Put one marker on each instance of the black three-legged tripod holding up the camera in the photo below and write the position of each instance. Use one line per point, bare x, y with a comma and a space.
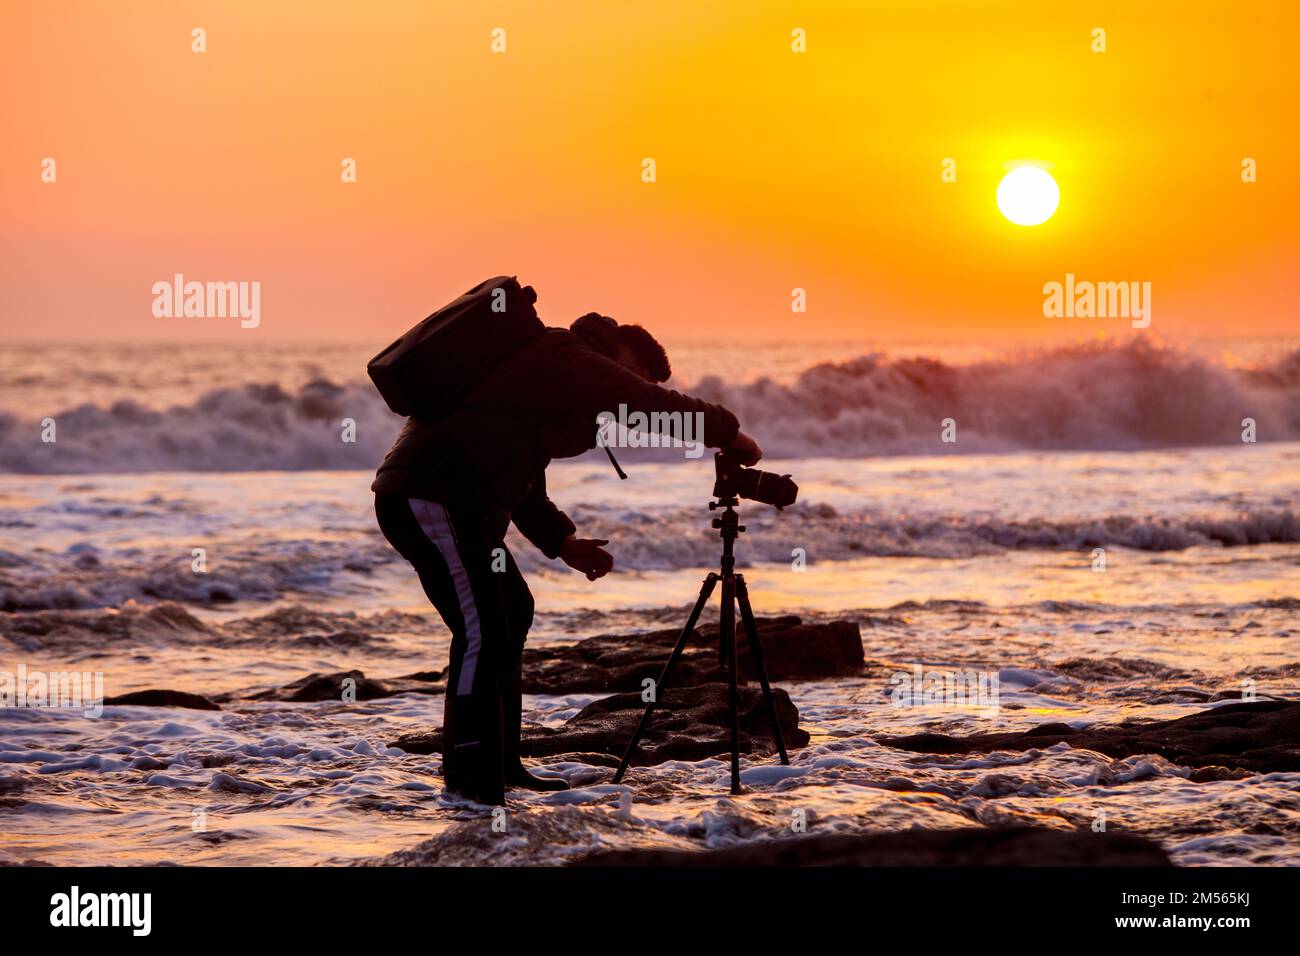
734, 591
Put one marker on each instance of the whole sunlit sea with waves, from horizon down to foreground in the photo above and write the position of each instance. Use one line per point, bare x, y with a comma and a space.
1102, 531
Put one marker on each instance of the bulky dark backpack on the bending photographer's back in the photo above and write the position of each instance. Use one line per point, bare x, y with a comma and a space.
435, 366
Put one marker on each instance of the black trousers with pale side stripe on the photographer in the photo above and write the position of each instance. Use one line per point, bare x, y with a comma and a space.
473, 579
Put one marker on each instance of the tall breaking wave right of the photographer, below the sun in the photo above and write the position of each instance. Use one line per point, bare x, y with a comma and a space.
1102, 396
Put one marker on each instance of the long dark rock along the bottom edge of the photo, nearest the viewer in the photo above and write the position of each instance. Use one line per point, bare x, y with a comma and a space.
968, 847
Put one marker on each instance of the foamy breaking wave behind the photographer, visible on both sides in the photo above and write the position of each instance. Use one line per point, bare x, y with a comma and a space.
1102, 396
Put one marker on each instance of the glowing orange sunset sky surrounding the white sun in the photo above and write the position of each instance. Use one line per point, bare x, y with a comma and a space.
775, 170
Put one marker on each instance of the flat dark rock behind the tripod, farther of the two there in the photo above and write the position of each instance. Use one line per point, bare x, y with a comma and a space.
622, 661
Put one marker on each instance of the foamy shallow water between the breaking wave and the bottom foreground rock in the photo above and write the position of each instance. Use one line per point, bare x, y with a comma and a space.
982, 564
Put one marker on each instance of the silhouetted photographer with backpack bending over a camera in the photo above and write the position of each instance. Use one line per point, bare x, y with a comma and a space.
492, 396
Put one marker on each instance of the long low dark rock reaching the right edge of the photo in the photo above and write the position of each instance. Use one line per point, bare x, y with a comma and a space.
1263, 737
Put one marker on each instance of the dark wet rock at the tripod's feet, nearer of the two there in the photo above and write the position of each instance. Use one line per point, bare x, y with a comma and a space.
690, 724
